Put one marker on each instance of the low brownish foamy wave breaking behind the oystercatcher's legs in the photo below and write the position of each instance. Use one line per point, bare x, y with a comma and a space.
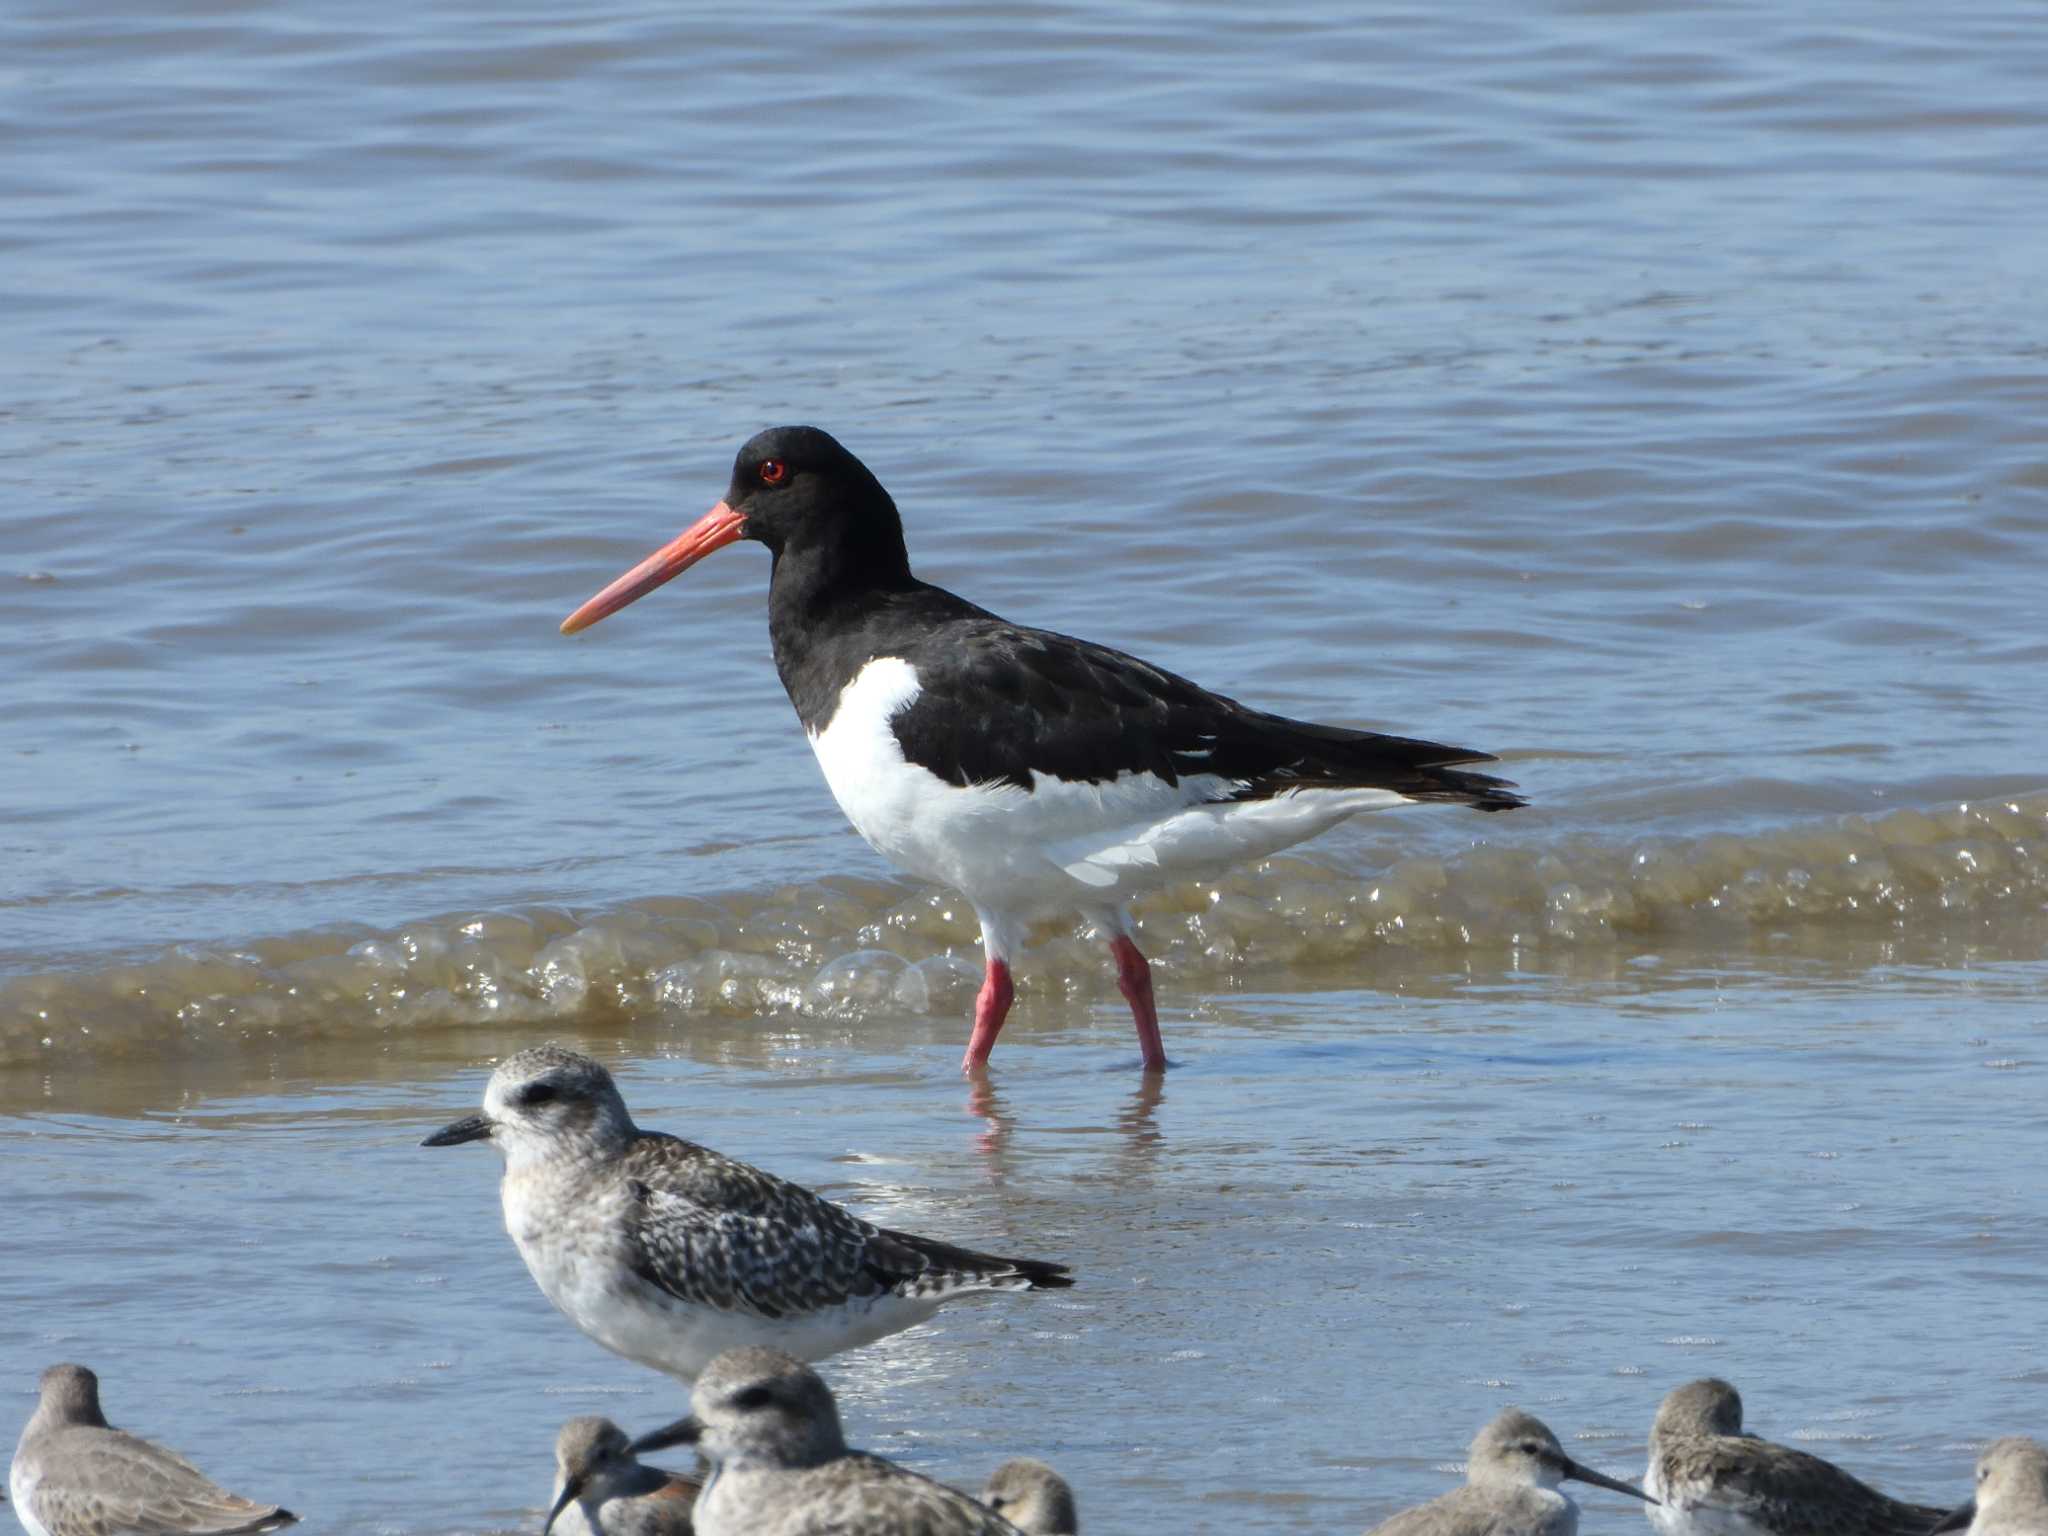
845, 949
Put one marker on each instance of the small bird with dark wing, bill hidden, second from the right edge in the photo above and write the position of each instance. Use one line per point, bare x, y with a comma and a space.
1713, 1480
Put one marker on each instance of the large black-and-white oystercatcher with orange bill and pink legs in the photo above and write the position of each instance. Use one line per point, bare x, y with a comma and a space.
1035, 773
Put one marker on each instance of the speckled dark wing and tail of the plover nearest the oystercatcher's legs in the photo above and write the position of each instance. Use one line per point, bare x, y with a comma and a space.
722, 1234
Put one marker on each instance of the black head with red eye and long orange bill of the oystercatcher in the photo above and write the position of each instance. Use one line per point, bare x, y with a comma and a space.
790, 482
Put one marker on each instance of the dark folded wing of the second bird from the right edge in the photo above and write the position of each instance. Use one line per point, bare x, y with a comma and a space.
1787, 1490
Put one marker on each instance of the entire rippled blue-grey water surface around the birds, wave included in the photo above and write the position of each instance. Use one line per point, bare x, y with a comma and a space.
1652, 396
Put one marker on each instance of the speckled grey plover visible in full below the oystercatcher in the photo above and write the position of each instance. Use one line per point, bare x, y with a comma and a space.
671, 1254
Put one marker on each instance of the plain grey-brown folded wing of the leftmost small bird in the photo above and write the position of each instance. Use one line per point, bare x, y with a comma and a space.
122, 1486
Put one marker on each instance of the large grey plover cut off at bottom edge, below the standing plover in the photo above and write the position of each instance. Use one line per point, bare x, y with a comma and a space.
781, 1467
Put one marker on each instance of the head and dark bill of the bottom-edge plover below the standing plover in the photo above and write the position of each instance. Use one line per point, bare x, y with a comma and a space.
759, 1408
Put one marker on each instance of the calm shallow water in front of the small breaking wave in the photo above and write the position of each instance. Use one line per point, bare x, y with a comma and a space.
1342, 1234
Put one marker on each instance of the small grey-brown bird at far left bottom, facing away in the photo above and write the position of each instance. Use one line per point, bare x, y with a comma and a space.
77, 1476
